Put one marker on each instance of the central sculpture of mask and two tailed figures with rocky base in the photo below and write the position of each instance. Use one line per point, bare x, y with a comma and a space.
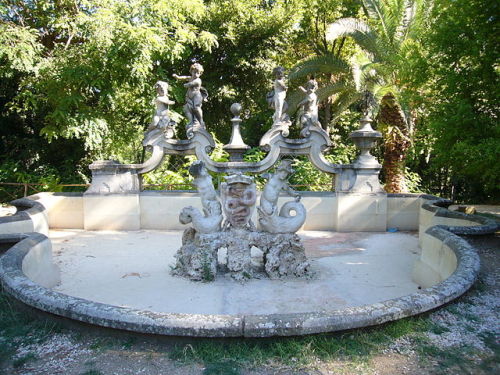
227, 224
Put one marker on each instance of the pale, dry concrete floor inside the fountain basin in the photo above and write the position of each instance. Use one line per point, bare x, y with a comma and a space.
131, 269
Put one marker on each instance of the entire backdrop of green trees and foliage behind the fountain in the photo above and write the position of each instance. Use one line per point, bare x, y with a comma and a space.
76, 80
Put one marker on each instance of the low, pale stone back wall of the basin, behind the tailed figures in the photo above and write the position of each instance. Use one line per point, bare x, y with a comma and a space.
160, 210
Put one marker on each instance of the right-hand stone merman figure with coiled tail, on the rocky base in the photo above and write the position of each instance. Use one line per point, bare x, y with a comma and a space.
270, 219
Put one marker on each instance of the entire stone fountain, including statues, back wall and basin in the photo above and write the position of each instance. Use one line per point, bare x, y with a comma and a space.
114, 256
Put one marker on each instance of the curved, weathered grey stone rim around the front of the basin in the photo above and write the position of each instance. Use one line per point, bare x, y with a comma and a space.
16, 283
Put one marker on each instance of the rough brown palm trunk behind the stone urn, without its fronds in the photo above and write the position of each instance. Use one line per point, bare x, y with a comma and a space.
392, 124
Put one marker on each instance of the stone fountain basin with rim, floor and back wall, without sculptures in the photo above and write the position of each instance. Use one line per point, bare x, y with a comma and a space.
56, 262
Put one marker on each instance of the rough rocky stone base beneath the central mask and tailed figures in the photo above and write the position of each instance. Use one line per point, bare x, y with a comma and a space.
197, 259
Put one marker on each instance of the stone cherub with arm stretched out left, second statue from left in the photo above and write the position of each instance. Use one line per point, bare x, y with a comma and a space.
195, 96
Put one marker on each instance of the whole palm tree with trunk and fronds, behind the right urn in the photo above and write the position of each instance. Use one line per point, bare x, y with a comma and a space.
388, 40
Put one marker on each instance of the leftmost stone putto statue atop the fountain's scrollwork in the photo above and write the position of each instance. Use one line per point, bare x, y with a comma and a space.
161, 124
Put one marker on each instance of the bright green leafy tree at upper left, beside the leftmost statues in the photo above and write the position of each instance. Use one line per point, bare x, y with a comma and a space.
87, 67
